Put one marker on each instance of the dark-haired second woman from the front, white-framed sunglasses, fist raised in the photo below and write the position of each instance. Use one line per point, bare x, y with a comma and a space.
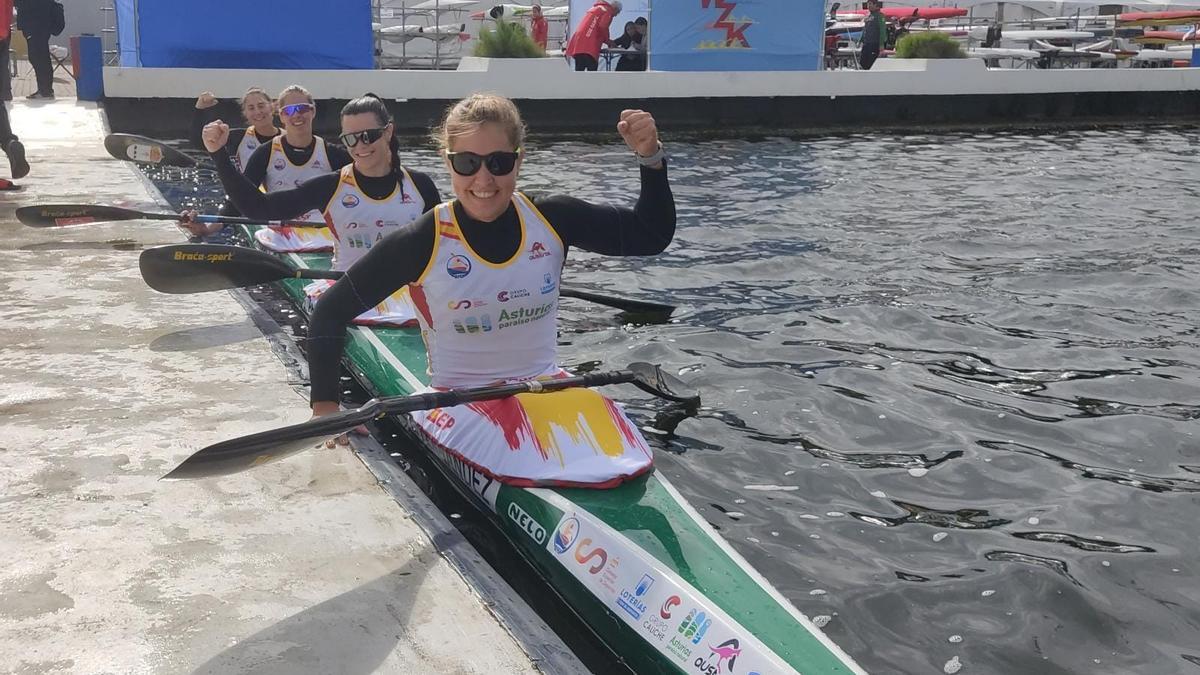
364, 201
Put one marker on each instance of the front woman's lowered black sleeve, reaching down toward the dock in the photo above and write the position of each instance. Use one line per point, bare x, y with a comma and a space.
392, 265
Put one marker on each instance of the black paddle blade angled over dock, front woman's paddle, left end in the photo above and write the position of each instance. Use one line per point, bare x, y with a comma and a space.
248, 452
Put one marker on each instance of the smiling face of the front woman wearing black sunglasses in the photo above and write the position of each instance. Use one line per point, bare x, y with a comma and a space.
484, 196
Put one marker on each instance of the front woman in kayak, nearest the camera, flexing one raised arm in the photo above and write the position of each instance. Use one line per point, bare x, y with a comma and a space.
484, 273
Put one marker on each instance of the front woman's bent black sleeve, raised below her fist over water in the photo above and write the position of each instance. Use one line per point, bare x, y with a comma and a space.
646, 230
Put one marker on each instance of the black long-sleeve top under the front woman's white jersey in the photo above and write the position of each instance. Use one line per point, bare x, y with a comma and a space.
646, 230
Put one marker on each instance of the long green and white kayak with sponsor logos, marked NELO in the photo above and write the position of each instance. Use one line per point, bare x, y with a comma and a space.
655, 582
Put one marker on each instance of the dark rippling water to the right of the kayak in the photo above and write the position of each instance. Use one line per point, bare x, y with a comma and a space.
951, 383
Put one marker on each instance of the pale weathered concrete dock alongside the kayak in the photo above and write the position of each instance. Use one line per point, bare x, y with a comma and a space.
303, 566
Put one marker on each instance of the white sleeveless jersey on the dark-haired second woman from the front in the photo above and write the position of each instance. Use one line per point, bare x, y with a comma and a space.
359, 223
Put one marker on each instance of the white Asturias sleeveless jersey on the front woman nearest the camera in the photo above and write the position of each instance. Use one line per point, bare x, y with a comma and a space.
487, 322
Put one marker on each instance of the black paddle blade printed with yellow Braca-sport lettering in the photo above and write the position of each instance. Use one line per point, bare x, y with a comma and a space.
196, 268
